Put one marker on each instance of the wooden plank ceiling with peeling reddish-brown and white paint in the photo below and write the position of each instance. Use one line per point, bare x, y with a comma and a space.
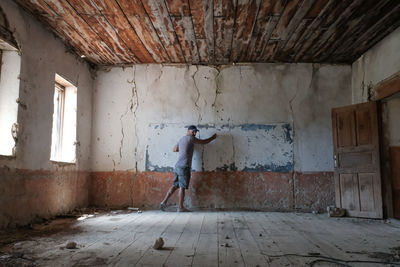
116, 32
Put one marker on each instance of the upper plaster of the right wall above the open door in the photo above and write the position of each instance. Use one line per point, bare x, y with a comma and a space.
377, 64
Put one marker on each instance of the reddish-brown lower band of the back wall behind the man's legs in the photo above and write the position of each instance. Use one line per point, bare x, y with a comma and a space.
216, 190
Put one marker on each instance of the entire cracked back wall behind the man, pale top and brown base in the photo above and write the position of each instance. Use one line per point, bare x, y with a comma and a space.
274, 149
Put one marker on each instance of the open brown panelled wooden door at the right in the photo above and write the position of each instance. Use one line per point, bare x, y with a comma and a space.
356, 157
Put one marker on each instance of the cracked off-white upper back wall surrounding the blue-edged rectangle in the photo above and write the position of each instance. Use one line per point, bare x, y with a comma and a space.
127, 100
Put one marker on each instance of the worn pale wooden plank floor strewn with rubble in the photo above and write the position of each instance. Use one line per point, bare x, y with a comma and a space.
218, 239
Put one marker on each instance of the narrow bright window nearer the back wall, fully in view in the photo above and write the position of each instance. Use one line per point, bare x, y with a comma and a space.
63, 137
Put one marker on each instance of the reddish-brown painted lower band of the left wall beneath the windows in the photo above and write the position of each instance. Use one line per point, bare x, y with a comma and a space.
26, 195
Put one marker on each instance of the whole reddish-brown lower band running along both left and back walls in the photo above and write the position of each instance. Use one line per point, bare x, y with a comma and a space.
27, 195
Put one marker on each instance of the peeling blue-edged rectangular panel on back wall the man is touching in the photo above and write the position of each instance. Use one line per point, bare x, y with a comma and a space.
254, 147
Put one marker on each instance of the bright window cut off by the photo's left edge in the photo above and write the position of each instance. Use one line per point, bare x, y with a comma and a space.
9, 93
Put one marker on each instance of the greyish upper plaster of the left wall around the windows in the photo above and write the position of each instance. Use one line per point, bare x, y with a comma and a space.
42, 56
